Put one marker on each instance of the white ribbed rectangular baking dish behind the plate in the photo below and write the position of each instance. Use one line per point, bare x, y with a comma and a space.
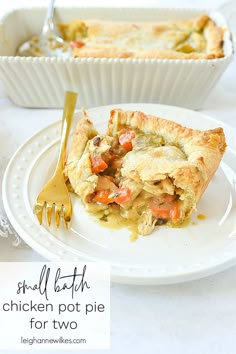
41, 82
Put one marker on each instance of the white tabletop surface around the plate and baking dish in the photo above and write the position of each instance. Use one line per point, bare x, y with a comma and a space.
197, 317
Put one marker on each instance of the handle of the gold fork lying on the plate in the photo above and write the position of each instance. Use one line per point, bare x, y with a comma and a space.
68, 113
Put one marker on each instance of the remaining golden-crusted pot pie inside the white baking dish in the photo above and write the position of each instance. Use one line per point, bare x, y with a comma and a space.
197, 38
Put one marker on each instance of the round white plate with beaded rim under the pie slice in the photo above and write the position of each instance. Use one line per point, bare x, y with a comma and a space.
169, 255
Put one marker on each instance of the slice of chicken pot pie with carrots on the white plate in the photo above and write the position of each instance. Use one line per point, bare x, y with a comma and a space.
149, 170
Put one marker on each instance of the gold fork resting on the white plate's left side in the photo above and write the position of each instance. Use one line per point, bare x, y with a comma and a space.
55, 196
